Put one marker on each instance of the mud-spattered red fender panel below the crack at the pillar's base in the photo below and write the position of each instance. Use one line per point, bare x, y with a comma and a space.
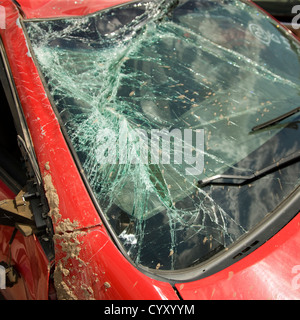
90, 268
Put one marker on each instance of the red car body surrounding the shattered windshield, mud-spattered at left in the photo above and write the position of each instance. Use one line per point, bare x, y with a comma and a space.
88, 265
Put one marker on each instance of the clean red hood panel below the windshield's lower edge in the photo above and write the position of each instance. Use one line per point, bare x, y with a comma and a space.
270, 272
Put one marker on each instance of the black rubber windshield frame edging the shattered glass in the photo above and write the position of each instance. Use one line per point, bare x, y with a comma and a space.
249, 242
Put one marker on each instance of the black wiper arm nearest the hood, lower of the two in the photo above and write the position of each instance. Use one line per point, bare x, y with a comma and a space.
284, 162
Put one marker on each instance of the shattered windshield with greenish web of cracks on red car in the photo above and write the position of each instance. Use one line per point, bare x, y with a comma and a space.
155, 97
